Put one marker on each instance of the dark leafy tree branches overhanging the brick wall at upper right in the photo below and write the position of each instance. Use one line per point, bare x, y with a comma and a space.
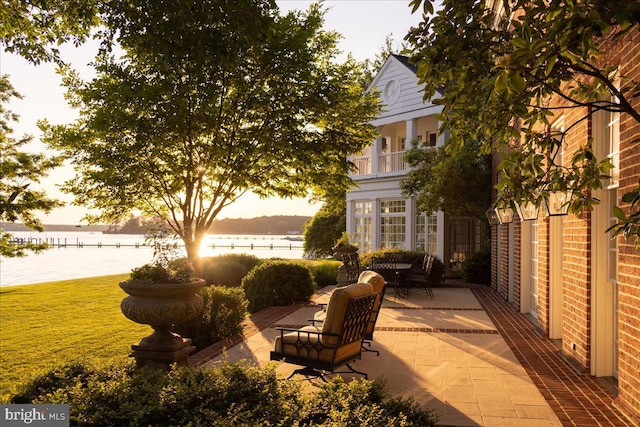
497, 74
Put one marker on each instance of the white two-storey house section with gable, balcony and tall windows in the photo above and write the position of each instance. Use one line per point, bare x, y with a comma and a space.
379, 216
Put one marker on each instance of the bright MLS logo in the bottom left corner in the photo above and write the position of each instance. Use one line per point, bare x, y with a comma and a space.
34, 415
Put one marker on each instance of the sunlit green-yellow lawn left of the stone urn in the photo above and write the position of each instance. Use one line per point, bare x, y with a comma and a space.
49, 324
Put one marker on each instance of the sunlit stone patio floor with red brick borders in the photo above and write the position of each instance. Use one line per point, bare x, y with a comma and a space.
448, 354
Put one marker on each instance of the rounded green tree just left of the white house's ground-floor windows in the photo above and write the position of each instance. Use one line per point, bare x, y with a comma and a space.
326, 226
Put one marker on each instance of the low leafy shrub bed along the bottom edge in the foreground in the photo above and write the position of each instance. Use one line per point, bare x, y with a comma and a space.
227, 394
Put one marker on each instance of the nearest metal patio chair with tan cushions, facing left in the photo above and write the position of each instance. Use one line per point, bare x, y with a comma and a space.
321, 351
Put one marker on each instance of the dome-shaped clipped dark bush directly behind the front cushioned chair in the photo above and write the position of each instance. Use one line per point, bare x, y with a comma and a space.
276, 283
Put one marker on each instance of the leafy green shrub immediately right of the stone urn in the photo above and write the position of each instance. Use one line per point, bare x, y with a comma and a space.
221, 317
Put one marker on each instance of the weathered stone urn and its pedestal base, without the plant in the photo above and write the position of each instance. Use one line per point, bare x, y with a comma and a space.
161, 305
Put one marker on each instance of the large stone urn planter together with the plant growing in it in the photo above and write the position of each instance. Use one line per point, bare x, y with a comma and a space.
161, 294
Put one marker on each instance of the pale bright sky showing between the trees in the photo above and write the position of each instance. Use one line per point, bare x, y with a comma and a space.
363, 24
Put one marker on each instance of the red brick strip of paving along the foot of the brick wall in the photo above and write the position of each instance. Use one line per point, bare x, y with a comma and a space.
577, 399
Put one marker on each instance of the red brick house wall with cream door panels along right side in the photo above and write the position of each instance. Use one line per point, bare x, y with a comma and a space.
573, 281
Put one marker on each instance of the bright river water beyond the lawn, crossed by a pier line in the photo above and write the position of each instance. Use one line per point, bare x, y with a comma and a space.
89, 260
